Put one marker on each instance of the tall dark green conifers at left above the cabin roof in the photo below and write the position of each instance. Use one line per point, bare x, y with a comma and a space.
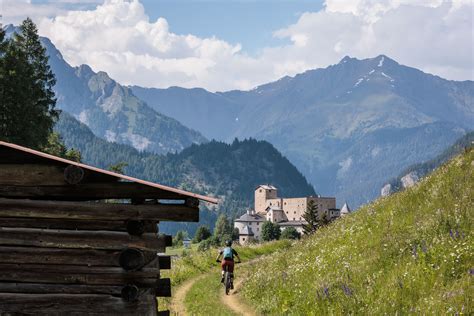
27, 110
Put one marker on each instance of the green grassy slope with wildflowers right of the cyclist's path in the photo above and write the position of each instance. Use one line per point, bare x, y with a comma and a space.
412, 252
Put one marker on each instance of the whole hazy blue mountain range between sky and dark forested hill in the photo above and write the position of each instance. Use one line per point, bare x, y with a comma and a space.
348, 127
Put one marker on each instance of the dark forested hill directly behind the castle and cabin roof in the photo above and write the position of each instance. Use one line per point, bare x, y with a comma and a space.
228, 171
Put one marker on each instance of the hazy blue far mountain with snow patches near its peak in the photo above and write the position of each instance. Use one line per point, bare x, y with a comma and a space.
336, 123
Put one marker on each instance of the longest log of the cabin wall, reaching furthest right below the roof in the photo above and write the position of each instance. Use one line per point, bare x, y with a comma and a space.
97, 211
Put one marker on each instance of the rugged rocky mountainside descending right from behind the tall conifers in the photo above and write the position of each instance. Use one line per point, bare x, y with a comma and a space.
111, 110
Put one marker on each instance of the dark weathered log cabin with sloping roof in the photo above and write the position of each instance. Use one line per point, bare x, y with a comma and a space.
79, 240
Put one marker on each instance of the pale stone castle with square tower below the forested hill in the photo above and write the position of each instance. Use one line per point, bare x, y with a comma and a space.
286, 212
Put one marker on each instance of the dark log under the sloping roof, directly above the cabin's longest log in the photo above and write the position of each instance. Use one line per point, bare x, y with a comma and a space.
88, 191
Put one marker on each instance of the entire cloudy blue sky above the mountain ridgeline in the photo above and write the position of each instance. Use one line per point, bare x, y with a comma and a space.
223, 45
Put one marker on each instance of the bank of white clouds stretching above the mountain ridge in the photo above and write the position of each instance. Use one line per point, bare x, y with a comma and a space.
119, 38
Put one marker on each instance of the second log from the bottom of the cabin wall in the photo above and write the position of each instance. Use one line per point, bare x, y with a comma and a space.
67, 274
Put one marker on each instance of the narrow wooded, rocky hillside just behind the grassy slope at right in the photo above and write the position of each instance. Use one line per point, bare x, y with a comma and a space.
417, 171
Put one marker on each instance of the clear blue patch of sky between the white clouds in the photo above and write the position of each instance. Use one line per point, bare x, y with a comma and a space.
250, 23
